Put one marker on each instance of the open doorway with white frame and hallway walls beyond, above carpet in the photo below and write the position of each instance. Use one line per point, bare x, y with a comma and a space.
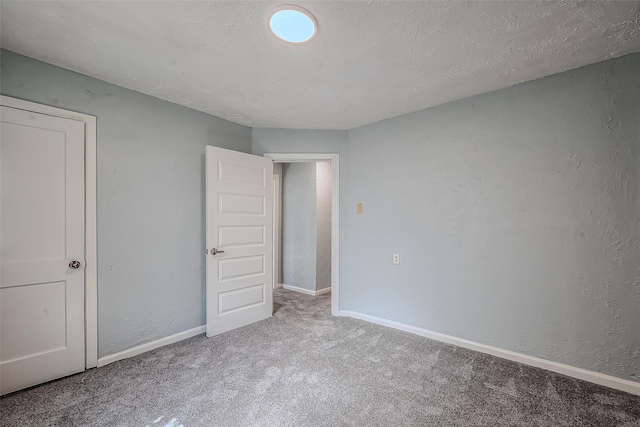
306, 223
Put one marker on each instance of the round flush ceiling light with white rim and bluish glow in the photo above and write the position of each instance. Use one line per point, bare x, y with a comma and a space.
293, 24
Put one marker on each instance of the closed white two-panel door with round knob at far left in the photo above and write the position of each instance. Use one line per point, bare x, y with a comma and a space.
42, 234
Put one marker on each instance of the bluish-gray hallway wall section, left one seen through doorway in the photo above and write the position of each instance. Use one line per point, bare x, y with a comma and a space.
299, 225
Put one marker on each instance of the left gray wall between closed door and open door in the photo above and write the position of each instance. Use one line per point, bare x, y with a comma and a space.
150, 198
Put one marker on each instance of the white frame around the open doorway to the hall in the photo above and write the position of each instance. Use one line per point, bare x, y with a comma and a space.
334, 158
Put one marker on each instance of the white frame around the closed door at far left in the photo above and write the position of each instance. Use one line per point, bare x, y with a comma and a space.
91, 246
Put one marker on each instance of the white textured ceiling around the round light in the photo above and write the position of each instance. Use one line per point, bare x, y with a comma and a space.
370, 60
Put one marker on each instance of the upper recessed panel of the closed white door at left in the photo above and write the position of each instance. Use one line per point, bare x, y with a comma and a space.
35, 163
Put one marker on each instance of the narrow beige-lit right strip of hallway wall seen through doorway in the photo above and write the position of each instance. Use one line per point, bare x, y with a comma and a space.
323, 225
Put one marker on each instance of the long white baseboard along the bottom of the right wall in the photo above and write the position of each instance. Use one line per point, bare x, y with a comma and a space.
571, 371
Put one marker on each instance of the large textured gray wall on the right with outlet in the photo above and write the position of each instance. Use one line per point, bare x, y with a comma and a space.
516, 215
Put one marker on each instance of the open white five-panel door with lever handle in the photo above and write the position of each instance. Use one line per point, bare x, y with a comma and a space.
239, 239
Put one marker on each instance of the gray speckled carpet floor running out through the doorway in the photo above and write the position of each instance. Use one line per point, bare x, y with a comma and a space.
303, 367
